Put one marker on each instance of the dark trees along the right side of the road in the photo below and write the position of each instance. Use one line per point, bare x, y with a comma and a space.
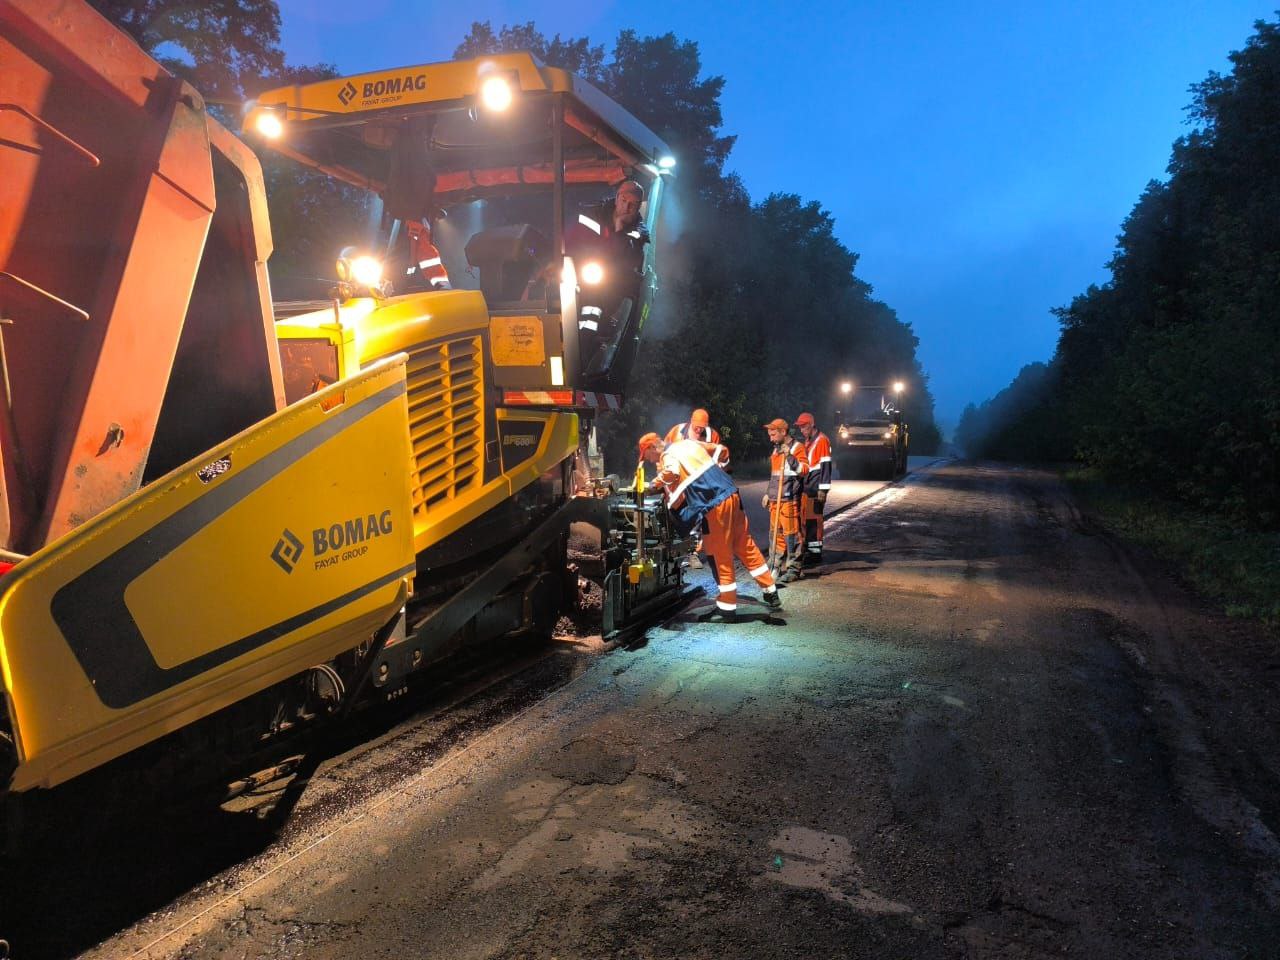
1168, 376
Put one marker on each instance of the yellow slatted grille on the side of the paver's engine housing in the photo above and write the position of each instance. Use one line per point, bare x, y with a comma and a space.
446, 383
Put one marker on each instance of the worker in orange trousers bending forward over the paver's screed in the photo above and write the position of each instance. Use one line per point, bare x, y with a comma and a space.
702, 496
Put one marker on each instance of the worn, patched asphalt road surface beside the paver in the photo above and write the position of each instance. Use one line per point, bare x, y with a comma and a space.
981, 732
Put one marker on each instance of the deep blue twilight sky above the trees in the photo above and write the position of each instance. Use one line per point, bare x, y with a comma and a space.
980, 158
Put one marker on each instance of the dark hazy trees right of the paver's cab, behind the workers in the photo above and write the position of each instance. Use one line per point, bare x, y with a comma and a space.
762, 313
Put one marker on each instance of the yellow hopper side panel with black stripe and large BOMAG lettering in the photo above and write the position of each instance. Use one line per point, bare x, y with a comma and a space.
272, 554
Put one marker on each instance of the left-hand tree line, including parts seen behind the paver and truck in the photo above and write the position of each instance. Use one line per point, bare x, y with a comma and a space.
761, 313
